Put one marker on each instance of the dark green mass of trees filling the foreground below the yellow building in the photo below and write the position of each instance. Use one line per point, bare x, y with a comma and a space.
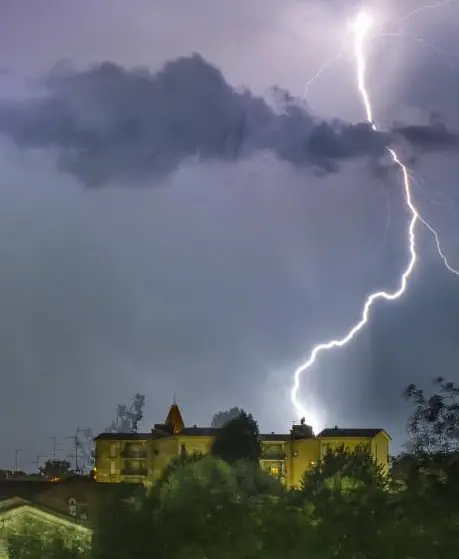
226, 507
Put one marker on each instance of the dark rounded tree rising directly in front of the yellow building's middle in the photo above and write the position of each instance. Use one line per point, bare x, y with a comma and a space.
239, 439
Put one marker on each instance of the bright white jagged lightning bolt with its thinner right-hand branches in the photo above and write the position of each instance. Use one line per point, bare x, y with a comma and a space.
361, 28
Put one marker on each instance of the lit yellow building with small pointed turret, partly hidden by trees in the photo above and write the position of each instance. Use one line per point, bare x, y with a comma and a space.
142, 457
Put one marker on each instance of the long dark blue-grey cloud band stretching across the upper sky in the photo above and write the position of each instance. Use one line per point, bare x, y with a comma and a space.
110, 123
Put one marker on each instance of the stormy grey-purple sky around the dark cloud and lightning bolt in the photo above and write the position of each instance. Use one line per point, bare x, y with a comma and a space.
214, 280
